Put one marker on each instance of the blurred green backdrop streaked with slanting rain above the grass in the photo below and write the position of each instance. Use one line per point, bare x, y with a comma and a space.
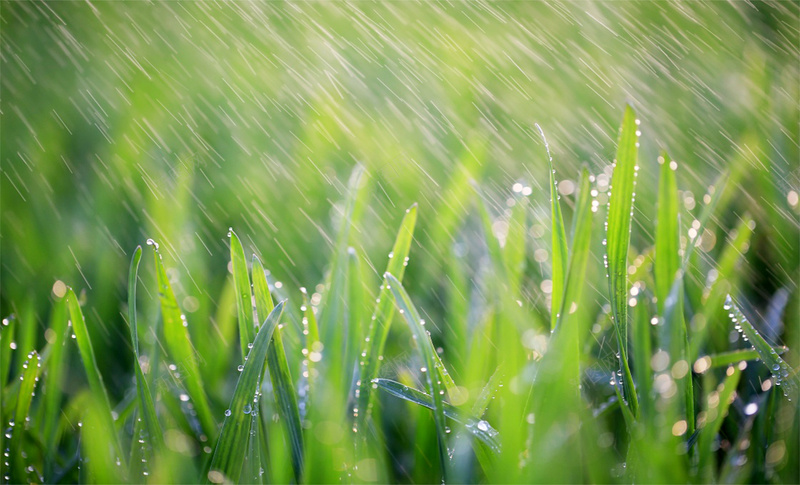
123, 121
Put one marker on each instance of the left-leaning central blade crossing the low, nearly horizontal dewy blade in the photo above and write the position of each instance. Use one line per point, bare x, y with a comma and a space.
411, 316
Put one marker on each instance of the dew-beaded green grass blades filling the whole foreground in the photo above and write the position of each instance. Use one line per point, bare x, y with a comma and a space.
676, 411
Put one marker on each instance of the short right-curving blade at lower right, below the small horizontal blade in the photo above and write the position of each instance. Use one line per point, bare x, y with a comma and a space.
717, 406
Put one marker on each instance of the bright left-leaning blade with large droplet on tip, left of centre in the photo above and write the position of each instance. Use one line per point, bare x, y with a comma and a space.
180, 348
